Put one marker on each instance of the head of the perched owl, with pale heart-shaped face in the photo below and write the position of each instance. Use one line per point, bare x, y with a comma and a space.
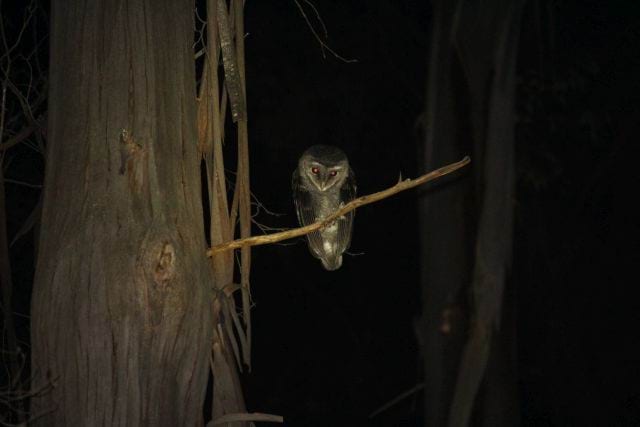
325, 166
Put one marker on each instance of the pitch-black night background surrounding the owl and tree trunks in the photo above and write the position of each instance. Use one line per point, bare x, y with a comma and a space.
336, 345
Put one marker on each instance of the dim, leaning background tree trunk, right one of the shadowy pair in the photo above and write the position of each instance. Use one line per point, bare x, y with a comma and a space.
495, 191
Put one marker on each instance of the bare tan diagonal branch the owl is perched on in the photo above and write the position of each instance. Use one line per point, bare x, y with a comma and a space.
356, 203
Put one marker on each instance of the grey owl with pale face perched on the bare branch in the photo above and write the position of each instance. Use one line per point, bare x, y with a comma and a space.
322, 183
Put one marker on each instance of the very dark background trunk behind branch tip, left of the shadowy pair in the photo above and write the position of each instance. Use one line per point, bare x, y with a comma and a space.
445, 262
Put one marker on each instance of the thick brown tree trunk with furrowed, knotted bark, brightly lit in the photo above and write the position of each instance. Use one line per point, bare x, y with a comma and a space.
121, 311
